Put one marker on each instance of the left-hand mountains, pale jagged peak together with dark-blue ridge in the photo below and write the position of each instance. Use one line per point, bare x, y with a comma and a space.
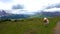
5, 15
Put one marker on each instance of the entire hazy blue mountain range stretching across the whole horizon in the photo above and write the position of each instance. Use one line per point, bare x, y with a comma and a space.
5, 15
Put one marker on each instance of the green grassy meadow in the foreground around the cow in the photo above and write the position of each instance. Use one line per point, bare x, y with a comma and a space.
28, 26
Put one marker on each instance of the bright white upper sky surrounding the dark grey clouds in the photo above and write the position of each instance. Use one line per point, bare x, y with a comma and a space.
30, 5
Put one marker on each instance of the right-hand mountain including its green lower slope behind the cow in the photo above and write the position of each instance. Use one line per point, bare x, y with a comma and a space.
46, 14
